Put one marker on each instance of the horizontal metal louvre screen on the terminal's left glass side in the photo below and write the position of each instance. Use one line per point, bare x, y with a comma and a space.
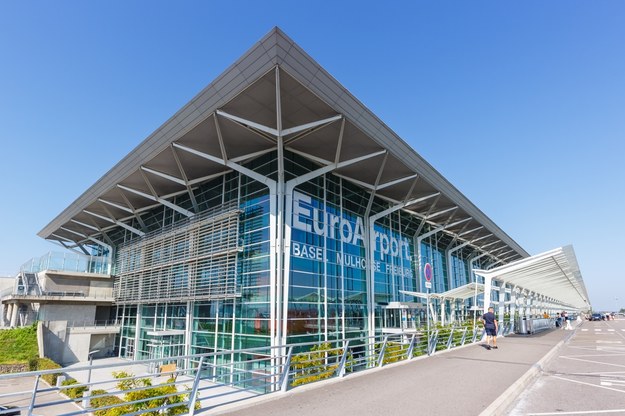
193, 260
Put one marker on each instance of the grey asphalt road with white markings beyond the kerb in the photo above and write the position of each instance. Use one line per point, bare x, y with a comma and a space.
586, 377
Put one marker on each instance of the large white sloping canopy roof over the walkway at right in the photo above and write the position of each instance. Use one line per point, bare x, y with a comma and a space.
554, 274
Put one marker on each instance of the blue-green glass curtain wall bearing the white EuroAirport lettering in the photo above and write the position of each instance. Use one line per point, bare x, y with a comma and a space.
327, 293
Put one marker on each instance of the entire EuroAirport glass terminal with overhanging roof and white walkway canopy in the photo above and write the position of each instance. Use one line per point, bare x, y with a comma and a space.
276, 208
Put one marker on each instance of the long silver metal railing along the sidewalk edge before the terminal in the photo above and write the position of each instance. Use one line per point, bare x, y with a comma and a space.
204, 382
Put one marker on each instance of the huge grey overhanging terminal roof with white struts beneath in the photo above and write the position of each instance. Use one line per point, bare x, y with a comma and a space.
235, 118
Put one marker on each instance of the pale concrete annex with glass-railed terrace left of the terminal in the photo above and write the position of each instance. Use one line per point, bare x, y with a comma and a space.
71, 295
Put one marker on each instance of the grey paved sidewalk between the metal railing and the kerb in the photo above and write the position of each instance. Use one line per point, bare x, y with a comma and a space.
465, 381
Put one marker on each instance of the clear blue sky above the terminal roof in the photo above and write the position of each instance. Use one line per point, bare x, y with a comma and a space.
521, 105
